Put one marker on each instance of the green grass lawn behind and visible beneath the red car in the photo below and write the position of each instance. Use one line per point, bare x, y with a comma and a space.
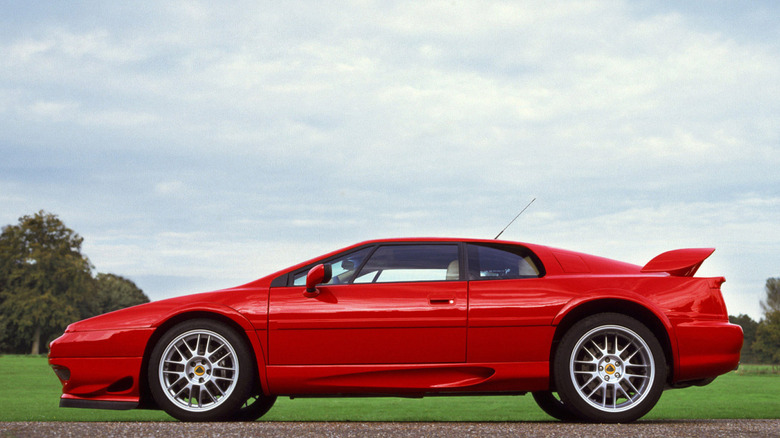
30, 392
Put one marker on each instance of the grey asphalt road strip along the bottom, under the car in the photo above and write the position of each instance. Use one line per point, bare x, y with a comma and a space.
666, 429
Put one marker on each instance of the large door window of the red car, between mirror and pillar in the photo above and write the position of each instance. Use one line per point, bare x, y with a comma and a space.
397, 263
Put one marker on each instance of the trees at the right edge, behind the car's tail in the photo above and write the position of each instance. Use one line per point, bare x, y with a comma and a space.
762, 338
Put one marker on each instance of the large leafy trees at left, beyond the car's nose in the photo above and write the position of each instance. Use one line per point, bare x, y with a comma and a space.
47, 283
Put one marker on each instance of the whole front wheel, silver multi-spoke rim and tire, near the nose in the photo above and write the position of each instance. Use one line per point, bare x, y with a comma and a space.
201, 370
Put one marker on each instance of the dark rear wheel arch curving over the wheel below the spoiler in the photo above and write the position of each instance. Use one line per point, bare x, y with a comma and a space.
660, 327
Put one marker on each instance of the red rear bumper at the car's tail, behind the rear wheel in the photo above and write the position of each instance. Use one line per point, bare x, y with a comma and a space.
706, 349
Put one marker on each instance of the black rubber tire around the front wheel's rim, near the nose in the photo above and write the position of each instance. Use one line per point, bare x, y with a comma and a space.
244, 384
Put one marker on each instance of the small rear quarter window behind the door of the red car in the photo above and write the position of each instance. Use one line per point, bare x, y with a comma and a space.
502, 262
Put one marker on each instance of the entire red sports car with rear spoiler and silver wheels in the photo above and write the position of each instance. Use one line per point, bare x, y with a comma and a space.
410, 318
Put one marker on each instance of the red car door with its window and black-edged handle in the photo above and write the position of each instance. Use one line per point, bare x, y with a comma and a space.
388, 304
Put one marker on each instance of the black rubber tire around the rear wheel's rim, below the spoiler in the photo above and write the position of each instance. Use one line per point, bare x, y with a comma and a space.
566, 388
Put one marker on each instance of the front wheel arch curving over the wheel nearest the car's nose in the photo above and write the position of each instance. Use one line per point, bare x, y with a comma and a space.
146, 399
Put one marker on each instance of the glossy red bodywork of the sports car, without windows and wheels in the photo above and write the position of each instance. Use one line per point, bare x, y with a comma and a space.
417, 338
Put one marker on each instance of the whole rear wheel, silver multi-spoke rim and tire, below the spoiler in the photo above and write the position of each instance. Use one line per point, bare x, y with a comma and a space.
609, 368
